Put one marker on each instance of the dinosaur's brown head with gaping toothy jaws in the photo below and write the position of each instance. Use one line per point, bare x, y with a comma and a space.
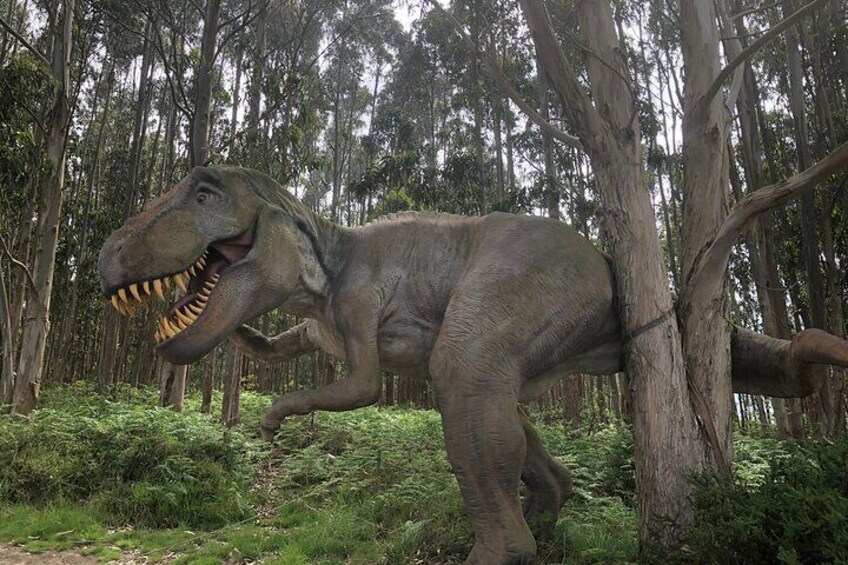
216, 248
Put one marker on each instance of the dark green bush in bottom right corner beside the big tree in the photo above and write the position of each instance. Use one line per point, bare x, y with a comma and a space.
797, 514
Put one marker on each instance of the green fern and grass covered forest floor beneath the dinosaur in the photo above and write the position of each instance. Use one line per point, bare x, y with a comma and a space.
94, 480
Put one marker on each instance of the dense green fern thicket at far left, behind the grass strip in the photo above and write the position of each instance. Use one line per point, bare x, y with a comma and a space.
134, 463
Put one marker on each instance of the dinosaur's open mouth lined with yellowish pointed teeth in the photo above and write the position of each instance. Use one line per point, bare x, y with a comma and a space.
196, 283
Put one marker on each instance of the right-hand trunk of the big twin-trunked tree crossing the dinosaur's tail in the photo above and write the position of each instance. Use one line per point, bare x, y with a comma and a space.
704, 311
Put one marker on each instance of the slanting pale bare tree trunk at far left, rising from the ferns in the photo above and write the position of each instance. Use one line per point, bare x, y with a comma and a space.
37, 325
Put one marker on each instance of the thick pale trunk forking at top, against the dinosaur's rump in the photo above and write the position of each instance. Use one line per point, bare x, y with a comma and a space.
668, 443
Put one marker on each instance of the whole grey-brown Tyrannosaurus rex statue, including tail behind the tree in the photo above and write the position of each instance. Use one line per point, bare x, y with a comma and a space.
491, 309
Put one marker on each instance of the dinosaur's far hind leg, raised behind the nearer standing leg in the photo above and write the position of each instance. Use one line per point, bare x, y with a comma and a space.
548, 483
